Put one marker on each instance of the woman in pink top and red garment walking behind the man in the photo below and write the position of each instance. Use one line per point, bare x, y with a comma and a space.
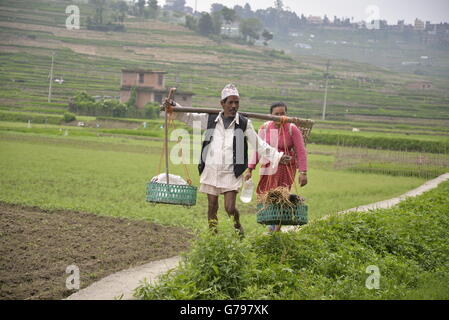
289, 141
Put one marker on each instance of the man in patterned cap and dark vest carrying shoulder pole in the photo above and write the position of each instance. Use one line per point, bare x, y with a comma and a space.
224, 154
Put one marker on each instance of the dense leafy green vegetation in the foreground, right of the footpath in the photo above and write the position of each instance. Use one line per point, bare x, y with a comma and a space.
327, 259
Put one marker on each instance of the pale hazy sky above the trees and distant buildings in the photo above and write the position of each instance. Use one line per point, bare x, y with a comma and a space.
391, 10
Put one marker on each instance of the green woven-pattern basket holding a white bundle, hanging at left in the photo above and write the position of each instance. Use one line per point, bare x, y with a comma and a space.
171, 194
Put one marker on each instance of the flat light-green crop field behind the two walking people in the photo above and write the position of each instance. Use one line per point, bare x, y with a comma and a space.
107, 175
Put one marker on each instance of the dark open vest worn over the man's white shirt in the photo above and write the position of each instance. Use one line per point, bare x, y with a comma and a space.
237, 146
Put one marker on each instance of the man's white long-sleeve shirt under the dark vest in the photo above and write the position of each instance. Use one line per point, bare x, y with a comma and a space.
219, 169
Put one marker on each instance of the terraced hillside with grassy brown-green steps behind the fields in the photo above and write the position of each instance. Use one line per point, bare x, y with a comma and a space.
30, 31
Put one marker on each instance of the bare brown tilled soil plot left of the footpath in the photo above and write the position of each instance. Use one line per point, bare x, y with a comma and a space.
37, 246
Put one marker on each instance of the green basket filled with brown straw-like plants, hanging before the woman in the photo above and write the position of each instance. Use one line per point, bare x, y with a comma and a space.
282, 215
